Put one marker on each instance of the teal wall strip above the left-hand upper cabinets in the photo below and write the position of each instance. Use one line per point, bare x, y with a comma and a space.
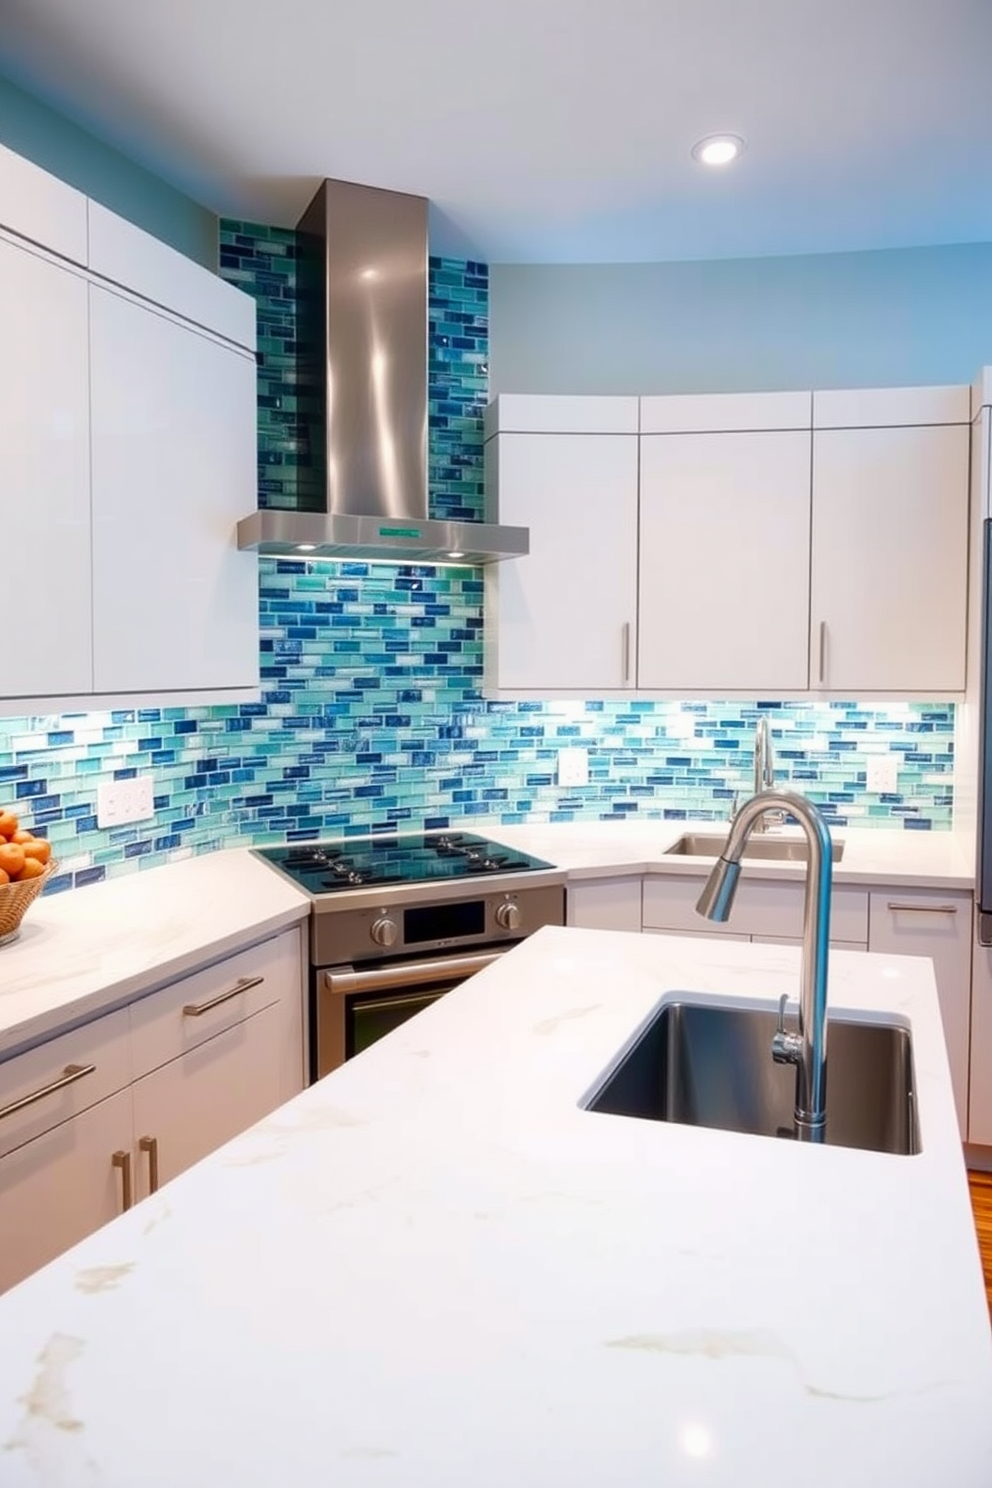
63, 148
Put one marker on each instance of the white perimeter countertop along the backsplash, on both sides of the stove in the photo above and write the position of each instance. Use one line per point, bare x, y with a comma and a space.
90, 950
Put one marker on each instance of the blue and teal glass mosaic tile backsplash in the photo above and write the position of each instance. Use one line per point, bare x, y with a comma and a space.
371, 715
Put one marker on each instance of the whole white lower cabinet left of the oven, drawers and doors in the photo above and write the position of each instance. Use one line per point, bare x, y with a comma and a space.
99, 1118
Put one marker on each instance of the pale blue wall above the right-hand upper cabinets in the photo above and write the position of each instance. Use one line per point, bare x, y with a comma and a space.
883, 319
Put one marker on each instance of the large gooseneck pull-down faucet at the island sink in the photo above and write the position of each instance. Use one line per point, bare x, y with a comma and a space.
807, 1050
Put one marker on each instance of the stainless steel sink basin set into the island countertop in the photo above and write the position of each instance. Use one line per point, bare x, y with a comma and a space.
712, 1066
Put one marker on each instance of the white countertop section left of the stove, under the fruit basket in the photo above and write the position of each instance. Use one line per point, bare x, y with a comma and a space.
88, 950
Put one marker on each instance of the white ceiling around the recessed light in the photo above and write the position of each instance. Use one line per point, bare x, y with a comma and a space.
547, 130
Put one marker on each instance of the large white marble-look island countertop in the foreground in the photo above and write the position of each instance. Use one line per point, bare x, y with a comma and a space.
435, 1270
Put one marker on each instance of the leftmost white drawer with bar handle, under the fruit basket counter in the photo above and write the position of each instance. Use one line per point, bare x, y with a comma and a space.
63, 1078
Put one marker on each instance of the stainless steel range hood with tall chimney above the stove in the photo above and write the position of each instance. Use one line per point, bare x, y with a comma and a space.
362, 336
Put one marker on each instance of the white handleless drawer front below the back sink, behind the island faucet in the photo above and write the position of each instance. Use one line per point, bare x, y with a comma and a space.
762, 908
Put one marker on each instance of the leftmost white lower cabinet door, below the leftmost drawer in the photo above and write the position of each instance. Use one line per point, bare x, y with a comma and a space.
65, 1185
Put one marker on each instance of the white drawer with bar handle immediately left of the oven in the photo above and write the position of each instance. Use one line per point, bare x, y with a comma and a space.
181, 1017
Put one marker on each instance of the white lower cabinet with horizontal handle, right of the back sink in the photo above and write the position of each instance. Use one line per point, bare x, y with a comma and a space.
912, 922
